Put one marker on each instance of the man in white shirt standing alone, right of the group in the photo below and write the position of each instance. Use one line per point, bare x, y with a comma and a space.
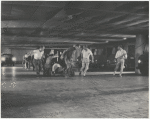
121, 55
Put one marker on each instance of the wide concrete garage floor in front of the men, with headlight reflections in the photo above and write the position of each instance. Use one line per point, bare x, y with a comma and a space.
99, 95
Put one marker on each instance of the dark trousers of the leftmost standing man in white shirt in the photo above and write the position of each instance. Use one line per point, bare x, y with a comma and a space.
38, 65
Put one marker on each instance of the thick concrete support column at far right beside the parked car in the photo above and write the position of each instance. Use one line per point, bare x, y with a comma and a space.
141, 41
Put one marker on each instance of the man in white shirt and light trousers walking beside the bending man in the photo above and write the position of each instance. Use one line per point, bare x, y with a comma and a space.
86, 53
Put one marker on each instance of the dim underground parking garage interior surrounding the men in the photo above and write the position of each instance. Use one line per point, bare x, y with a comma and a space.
100, 25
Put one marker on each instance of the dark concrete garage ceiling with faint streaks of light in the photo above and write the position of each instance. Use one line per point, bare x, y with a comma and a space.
63, 23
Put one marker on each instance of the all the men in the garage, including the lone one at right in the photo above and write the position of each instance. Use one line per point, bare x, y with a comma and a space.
40, 61
